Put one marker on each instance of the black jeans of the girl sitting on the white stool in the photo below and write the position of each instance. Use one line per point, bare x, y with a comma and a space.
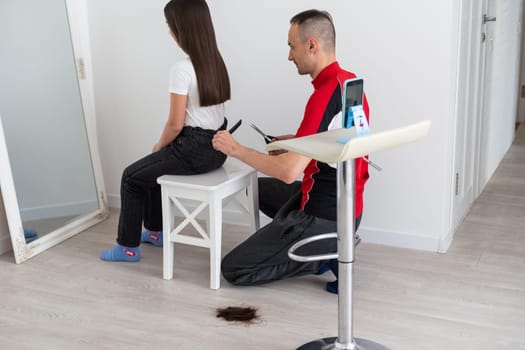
190, 153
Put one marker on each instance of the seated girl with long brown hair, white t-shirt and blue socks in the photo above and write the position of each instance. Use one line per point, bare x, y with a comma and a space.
199, 86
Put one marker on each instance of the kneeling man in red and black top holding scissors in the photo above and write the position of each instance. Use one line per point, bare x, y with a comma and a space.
299, 209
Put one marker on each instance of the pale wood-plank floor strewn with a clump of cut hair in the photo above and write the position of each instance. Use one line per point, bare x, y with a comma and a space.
472, 297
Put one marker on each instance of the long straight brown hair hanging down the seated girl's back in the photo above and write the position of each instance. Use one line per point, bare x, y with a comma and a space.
190, 22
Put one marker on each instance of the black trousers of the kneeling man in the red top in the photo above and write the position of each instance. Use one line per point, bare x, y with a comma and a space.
263, 257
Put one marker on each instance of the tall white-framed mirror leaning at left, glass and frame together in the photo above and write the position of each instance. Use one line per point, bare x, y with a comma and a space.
50, 175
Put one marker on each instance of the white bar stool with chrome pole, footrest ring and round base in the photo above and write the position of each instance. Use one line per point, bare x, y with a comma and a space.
342, 146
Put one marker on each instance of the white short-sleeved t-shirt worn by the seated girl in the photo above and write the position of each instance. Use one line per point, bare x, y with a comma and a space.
183, 81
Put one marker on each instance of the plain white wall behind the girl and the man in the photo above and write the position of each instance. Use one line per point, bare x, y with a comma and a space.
405, 50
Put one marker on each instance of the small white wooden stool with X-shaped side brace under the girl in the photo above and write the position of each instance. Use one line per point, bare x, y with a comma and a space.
210, 190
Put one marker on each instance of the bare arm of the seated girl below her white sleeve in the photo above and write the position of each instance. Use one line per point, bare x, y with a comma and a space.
175, 121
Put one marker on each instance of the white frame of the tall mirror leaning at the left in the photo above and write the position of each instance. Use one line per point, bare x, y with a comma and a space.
78, 27
